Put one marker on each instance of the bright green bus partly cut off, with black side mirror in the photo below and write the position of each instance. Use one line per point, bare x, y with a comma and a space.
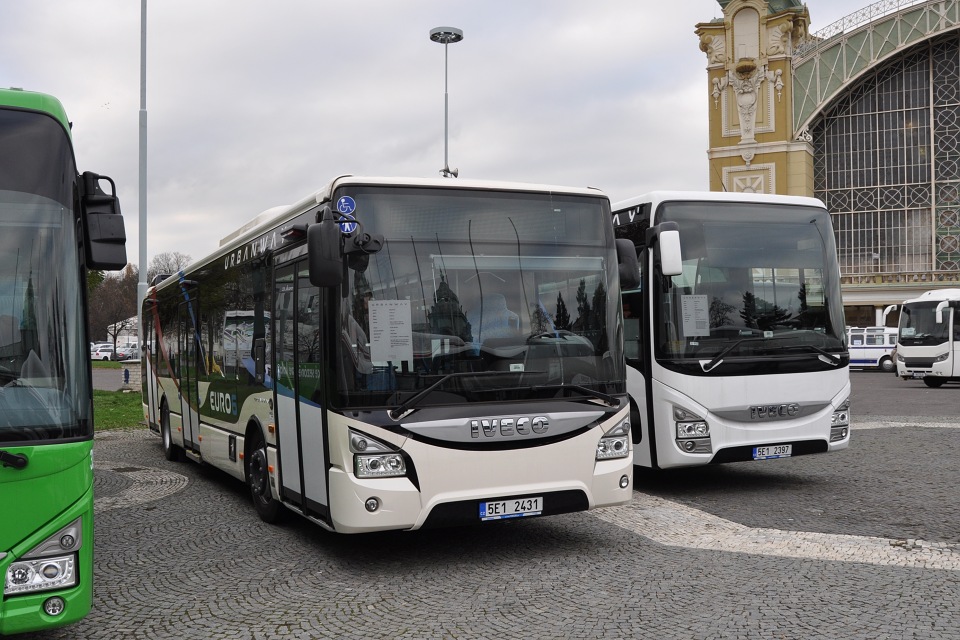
54, 225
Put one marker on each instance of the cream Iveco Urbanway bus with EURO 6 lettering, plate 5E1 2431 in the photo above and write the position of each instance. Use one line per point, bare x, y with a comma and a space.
455, 359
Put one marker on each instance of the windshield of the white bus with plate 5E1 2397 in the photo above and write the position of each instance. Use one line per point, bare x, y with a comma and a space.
758, 281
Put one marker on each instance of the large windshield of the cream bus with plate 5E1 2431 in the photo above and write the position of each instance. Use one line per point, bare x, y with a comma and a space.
515, 294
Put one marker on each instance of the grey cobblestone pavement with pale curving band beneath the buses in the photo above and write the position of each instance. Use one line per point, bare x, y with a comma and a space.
857, 544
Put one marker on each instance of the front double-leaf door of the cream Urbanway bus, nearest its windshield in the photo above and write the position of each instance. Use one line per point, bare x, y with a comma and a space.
302, 439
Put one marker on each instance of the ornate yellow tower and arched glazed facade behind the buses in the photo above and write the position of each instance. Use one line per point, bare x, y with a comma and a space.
864, 115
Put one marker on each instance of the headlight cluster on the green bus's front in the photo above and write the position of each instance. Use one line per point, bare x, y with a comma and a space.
47, 566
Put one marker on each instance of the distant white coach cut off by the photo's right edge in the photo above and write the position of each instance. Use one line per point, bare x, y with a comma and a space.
929, 342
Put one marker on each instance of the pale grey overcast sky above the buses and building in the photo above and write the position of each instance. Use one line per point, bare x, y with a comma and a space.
257, 104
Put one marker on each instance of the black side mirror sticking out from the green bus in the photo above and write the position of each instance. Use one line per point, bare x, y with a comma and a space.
104, 237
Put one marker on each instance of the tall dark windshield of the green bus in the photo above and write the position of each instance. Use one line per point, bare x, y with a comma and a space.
43, 354
